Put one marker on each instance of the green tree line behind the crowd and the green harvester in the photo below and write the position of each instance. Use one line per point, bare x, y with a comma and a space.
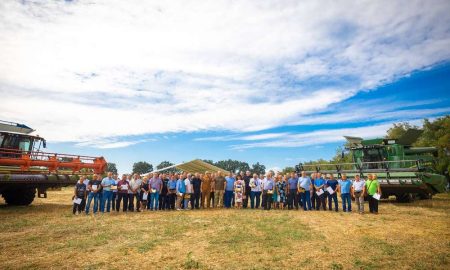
435, 133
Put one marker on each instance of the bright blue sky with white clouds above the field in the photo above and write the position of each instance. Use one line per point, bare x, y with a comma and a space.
278, 82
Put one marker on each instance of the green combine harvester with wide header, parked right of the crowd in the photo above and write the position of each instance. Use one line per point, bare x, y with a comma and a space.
403, 171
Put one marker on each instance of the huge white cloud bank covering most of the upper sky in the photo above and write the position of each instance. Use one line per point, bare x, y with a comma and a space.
88, 71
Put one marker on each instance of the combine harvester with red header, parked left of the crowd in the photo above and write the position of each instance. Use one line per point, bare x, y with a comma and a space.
24, 168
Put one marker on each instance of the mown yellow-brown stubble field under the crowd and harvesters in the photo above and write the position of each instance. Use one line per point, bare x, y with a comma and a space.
403, 236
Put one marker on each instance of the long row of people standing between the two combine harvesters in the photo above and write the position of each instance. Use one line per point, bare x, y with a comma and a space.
186, 191
